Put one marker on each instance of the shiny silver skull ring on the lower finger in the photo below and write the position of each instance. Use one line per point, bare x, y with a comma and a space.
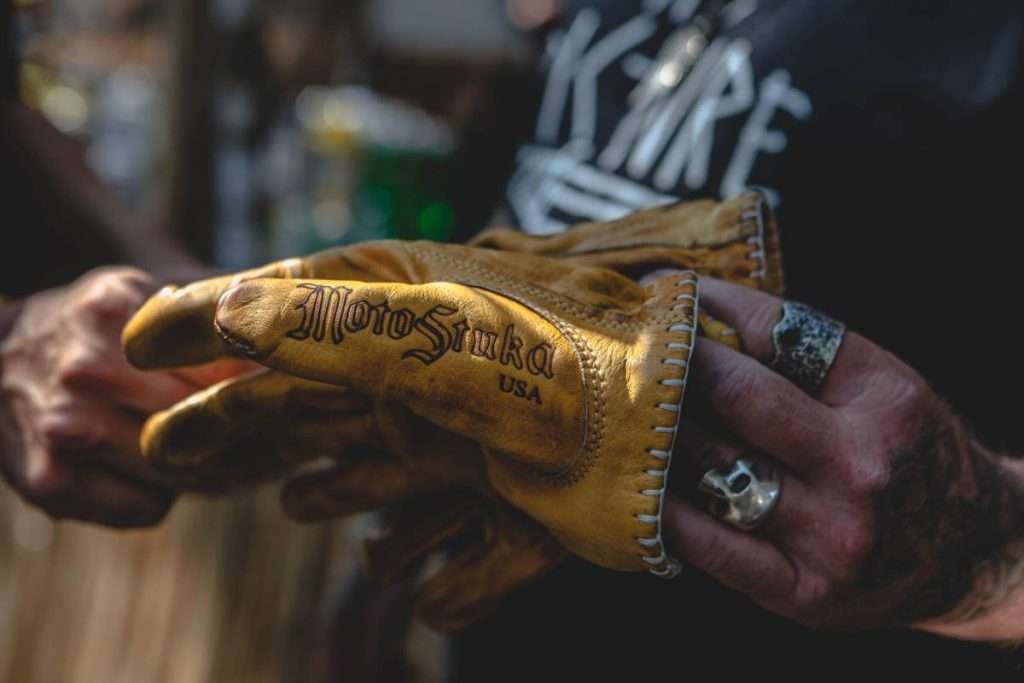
745, 494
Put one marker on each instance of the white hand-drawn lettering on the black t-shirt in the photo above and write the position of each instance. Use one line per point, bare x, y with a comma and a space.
661, 147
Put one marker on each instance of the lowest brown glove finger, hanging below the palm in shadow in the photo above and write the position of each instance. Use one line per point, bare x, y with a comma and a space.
474, 583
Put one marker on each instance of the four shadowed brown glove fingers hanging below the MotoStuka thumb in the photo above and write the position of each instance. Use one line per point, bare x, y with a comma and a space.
260, 428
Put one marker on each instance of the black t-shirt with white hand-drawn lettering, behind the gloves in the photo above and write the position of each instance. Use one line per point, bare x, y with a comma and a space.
889, 135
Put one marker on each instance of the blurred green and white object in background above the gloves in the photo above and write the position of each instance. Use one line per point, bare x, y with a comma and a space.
375, 169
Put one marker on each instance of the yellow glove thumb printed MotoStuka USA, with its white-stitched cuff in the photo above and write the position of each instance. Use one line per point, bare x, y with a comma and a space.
574, 389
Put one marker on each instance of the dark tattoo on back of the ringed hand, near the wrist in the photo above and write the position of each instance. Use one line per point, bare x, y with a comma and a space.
951, 519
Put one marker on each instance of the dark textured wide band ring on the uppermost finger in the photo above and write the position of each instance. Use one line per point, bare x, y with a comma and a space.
806, 343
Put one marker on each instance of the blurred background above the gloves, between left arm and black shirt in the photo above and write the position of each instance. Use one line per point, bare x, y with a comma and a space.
262, 129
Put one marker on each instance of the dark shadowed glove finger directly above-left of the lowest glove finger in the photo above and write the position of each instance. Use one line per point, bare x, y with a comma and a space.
416, 530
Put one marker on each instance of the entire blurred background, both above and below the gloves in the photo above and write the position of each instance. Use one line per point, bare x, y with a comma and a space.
252, 131
